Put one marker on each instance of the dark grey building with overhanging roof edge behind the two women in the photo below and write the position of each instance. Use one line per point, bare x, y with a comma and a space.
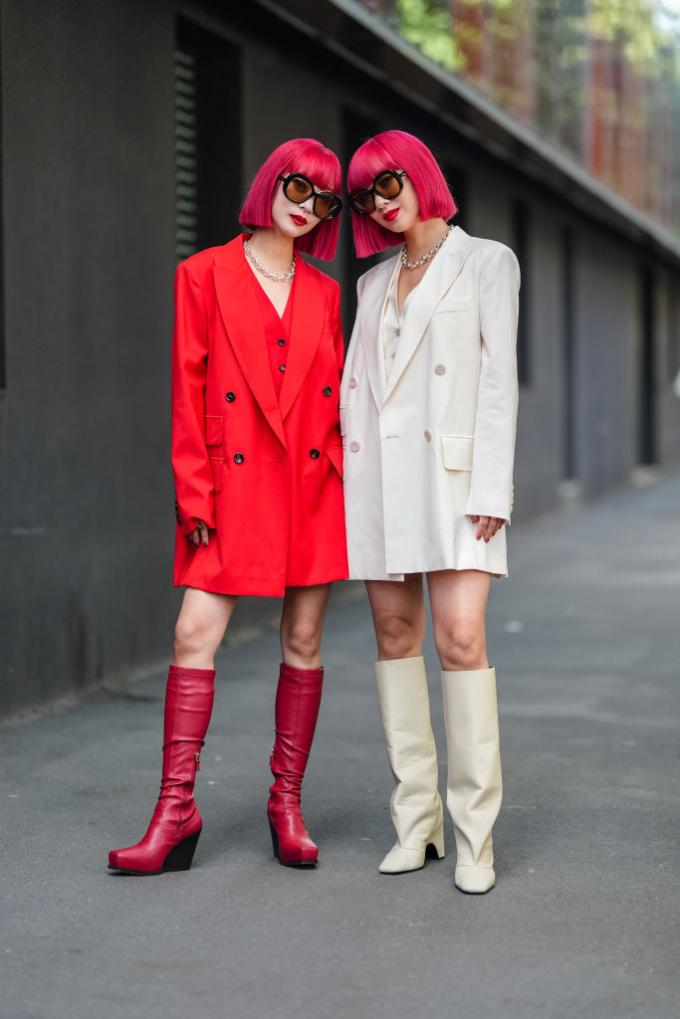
129, 134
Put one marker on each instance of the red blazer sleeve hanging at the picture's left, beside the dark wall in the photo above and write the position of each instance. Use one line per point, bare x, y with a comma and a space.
193, 477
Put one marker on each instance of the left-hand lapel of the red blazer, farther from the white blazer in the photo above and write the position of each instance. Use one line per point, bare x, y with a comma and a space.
244, 326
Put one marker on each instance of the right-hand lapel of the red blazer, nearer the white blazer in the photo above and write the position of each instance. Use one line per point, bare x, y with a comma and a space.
308, 318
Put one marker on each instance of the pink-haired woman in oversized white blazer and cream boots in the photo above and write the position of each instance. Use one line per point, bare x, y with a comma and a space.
429, 410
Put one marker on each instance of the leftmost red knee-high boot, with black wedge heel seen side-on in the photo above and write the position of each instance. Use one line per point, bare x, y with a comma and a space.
176, 825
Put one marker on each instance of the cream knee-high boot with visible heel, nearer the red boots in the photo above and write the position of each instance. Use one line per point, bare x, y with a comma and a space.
415, 806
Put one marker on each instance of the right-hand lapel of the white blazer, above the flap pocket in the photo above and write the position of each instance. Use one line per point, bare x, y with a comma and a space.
439, 279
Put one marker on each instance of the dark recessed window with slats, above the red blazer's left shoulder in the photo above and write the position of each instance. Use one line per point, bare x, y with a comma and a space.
208, 139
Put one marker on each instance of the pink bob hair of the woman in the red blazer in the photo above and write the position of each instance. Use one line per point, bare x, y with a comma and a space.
301, 155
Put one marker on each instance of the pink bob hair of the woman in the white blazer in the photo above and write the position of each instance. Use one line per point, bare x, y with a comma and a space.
397, 150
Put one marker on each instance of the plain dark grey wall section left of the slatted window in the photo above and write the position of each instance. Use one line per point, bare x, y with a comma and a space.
88, 147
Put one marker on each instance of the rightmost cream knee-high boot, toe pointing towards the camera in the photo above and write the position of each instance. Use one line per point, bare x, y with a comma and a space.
475, 787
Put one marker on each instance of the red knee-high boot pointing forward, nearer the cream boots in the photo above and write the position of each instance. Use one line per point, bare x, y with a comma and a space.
298, 701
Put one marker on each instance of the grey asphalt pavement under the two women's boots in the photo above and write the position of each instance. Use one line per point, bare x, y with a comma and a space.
586, 918
